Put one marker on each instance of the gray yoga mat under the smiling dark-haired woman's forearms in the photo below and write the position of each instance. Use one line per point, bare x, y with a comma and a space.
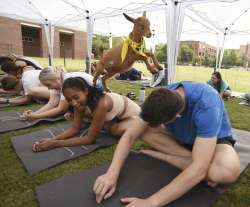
35, 162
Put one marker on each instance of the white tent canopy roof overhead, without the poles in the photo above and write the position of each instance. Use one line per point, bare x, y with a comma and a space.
203, 18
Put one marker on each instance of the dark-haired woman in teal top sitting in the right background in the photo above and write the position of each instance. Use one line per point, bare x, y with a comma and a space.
220, 85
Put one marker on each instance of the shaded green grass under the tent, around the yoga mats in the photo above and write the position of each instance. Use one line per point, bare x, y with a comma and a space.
17, 187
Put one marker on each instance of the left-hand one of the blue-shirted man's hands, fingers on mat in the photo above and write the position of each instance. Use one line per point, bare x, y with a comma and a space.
104, 187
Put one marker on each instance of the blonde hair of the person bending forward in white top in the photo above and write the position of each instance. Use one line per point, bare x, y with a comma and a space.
51, 73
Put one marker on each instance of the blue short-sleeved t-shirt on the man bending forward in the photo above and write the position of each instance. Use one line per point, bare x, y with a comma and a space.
205, 114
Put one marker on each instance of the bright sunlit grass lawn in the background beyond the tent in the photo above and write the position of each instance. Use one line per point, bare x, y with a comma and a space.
239, 80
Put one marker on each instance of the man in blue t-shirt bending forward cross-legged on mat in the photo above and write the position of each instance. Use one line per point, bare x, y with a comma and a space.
188, 126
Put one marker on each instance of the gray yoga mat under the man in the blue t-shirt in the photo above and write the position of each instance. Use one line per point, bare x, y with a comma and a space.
141, 176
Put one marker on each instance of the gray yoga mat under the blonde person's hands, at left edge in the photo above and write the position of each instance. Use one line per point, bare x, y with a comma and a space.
10, 120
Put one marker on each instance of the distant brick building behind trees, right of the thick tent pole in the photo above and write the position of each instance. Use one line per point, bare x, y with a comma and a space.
201, 48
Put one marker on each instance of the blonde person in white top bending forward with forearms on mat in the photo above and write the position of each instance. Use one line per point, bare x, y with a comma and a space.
53, 78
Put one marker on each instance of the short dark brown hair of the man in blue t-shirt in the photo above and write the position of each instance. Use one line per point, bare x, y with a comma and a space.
161, 106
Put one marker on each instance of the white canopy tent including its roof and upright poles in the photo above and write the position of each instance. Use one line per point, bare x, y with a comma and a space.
168, 19
